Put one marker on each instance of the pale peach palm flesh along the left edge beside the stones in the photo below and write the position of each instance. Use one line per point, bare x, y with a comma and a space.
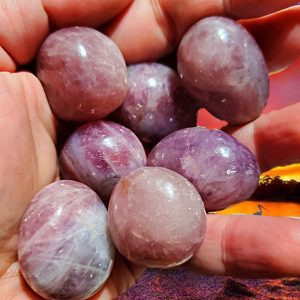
28, 162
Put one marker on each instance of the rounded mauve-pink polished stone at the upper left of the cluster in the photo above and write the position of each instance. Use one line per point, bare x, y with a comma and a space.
83, 73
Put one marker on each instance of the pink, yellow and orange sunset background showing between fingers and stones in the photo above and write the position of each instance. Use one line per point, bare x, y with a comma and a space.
284, 90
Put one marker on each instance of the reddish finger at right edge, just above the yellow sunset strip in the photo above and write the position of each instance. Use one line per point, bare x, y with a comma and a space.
273, 138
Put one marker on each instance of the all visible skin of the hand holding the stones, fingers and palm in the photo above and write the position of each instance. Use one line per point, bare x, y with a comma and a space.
236, 245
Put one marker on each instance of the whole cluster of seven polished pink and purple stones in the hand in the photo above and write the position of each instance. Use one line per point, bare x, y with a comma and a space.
152, 209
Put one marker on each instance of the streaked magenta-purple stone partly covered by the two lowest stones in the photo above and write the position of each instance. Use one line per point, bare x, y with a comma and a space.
99, 153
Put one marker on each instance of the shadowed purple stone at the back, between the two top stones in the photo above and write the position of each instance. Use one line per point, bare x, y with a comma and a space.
156, 103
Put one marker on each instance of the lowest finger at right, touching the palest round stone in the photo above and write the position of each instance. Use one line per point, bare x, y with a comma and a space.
251, 246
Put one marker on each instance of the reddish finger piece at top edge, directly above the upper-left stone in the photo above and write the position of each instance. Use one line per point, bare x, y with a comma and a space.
77, 12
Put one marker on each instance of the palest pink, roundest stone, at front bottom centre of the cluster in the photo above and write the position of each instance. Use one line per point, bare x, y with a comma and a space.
156, 217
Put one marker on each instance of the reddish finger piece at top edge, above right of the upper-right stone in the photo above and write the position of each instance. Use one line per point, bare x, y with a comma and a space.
254, 8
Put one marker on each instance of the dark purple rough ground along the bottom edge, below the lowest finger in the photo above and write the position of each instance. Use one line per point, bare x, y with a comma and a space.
181, 284
